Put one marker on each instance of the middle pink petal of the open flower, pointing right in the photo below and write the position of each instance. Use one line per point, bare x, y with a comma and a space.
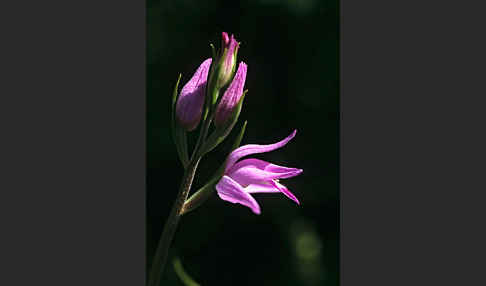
251, 171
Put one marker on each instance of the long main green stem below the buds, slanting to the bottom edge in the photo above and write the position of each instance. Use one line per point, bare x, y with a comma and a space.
162, 251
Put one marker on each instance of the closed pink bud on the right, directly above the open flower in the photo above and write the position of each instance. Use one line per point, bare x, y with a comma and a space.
231, 97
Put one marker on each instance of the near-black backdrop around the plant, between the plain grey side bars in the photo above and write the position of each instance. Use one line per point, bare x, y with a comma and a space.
291, 48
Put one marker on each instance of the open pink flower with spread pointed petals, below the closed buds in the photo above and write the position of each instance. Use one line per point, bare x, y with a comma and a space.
243, 178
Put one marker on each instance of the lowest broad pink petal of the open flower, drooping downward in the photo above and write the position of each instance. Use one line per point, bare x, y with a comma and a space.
231, 191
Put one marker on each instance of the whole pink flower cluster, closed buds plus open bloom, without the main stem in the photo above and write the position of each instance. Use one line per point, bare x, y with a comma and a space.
236, 180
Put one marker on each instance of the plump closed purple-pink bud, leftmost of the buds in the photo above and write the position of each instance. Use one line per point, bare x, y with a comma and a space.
191, 99
